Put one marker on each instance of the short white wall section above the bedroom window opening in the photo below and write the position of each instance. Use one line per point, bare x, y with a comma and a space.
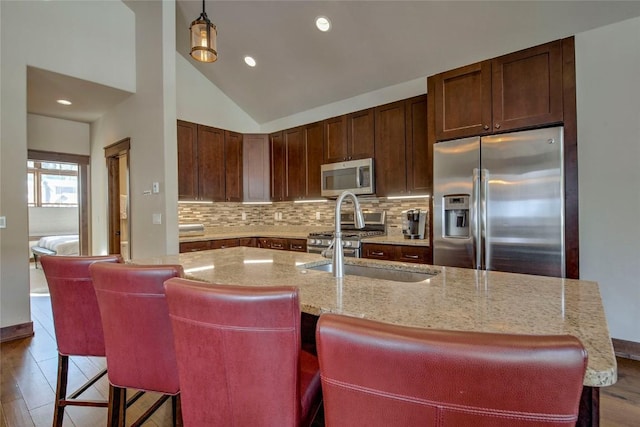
57, 135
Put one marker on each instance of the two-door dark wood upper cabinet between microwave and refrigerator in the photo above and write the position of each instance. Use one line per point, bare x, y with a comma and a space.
402, 162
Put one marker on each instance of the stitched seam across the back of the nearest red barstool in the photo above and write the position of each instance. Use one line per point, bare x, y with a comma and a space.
531, 416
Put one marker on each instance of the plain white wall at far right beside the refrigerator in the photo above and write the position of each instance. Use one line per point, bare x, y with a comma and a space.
608, 98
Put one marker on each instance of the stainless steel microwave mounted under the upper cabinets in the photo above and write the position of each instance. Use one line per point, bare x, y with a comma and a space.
356, 176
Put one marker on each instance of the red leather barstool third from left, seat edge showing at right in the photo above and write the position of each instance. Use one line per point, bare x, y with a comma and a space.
239, 355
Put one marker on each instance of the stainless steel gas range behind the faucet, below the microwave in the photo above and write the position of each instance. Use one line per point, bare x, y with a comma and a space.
351, 236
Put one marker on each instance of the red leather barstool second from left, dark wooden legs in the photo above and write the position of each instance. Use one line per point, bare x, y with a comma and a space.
138, 336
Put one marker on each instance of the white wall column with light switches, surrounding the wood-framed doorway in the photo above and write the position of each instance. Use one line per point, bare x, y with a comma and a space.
148, 119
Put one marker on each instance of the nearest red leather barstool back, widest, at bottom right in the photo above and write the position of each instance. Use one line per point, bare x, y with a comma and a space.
377, 374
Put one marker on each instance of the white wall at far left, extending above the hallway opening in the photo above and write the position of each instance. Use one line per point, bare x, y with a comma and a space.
102, 54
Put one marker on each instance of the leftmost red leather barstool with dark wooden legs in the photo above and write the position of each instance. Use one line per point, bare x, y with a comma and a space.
76, 320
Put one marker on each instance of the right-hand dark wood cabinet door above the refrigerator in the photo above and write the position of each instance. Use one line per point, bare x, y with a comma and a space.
527, 87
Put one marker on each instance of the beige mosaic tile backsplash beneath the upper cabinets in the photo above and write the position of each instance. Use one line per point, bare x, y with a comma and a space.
284, 214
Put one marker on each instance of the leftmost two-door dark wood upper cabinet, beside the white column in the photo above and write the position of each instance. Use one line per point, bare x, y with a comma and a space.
203, 152
